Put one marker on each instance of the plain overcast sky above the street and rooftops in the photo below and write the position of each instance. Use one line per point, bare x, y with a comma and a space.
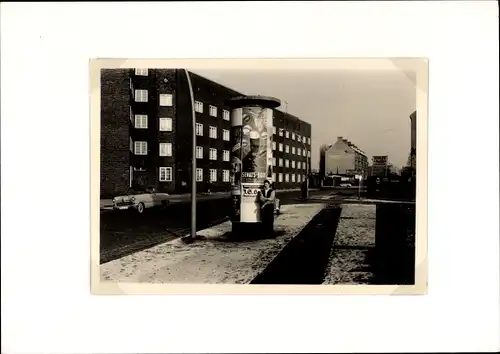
370, 108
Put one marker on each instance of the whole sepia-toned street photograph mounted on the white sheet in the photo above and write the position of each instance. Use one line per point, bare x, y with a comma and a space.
261, 175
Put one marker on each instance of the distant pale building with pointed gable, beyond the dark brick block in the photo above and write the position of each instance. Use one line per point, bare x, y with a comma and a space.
345, 158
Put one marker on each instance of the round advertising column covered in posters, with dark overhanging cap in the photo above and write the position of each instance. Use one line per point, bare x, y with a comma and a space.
251, 154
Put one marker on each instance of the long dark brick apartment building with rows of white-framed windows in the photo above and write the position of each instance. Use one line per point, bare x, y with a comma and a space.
146, 133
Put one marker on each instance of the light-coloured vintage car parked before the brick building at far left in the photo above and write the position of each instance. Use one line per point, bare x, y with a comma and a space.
141, 199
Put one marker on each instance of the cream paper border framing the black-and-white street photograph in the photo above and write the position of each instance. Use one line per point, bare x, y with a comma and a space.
417, 65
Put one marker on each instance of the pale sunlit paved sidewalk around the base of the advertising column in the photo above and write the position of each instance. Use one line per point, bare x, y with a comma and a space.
217, 260
